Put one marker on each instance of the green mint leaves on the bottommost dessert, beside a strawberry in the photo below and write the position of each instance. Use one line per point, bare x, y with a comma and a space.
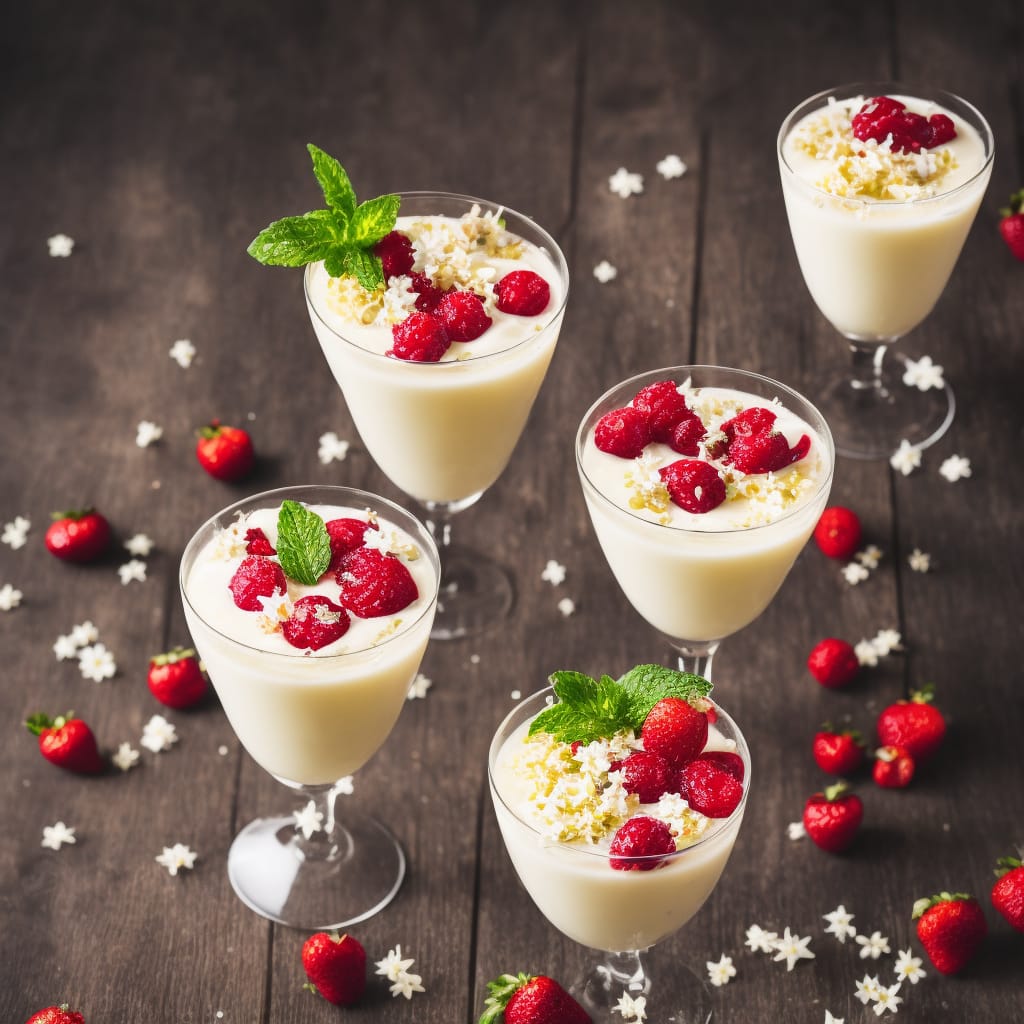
590, 709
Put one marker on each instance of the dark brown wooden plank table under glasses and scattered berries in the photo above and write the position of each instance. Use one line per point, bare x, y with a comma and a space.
161, 138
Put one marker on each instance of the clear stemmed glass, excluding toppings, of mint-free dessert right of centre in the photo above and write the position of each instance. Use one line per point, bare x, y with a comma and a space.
705, 578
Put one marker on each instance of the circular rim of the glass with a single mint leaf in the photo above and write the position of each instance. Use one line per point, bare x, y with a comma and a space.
278, 495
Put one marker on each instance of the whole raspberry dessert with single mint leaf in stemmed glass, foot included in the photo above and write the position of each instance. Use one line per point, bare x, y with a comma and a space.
312, 608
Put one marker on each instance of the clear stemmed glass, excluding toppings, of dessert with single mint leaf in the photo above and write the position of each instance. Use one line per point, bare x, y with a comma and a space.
312, 721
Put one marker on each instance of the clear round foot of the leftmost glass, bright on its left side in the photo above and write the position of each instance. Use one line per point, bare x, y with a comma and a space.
326, 884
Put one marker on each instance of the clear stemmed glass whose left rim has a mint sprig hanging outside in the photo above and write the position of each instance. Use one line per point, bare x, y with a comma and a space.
443, 433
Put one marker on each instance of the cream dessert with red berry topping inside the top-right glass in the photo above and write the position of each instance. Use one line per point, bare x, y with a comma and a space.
881, 193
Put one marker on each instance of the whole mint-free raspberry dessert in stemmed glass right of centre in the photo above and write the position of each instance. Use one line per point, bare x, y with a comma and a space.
704, 484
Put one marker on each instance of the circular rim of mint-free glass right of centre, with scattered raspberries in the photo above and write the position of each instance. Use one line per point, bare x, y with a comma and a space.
822, 429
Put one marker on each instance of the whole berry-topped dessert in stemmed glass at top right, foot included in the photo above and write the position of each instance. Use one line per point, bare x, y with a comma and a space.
882, 183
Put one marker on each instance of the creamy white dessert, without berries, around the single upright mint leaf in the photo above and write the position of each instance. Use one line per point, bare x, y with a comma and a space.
307, 716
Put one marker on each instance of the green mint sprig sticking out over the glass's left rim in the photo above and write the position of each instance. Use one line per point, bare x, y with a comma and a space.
344, 236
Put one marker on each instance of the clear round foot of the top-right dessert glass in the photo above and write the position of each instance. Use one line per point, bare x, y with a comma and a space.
871, 422
